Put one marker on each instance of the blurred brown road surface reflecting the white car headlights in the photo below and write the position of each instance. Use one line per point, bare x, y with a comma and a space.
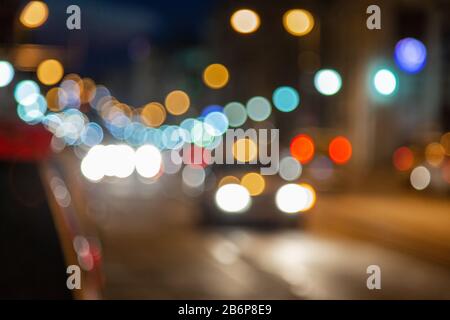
153, 248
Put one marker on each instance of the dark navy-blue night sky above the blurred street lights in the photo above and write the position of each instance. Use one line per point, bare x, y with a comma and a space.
109, 26
